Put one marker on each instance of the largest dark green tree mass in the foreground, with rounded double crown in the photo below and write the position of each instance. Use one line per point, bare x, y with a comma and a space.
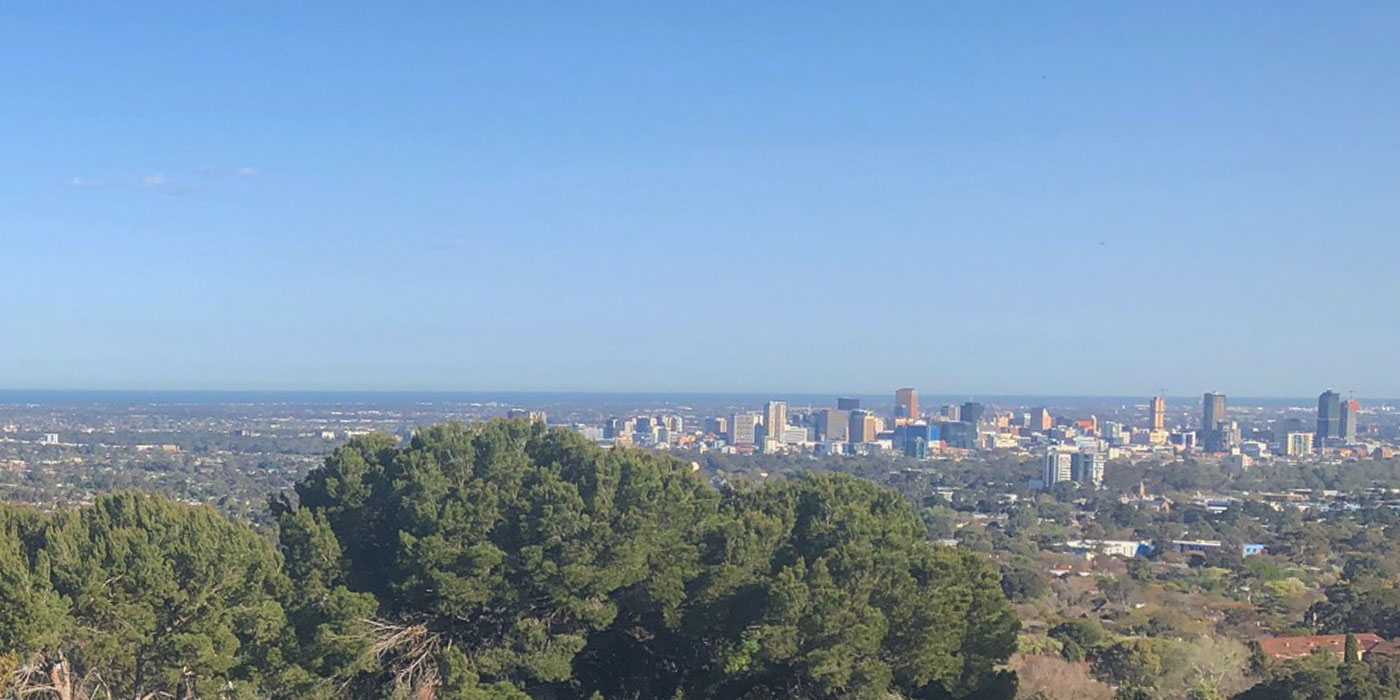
540, 566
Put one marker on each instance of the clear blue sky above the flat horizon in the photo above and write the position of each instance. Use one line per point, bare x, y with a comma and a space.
968, 198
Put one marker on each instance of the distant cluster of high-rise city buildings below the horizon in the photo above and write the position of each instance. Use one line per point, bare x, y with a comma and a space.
1076, 449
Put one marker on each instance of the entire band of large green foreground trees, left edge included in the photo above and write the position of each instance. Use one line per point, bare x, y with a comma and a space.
502, 561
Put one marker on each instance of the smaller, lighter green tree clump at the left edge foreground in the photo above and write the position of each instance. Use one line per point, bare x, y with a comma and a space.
142, 596
